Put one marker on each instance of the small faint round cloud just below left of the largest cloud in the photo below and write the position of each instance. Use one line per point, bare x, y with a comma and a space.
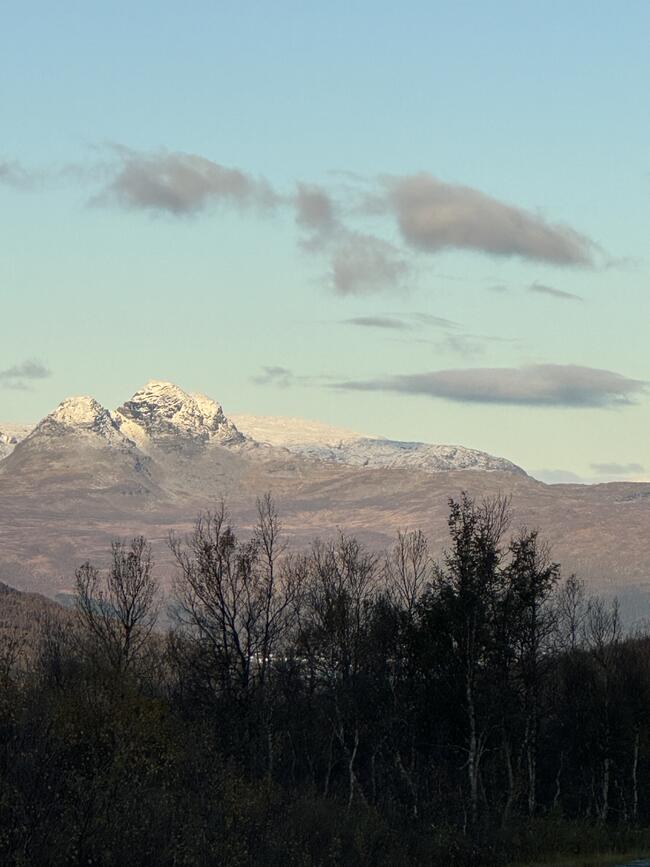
364, 264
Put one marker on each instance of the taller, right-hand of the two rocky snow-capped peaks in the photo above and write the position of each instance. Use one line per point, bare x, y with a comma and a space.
163, 412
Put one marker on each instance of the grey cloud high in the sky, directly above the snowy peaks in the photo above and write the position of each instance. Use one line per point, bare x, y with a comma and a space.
179, 183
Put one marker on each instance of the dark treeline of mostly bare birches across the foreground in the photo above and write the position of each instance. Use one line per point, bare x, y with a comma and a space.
327, 708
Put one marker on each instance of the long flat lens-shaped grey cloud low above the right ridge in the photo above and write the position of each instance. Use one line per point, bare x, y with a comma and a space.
555, 385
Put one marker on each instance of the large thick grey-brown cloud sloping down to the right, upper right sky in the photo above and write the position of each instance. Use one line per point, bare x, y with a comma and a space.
433, 216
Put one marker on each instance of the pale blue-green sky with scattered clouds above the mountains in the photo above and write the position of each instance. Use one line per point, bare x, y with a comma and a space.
424, 220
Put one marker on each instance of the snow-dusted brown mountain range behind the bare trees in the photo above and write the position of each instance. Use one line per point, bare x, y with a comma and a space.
85, 474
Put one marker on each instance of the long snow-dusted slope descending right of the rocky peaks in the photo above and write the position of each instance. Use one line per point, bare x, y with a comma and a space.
338, 445
